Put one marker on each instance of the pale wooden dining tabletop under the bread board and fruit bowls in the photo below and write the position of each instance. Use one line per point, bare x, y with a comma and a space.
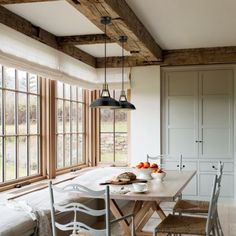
168, 190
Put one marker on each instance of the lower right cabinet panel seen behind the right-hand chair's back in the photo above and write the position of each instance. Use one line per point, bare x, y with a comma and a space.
206, 181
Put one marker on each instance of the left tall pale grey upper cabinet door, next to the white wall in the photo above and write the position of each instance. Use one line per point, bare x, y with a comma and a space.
181, 104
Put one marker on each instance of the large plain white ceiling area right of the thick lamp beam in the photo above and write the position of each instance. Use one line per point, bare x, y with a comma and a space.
179, 24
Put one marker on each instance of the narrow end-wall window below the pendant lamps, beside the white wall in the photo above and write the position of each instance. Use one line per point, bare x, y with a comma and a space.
113, 134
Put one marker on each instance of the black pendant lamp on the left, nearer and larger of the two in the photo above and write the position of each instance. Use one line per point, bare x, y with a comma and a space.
105, 100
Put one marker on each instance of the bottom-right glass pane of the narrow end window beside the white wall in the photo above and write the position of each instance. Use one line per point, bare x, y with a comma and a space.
121, 150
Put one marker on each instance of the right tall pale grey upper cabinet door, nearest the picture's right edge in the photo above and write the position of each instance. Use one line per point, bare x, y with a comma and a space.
215, 114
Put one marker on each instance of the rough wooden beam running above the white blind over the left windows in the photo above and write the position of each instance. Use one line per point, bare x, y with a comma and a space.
20, 24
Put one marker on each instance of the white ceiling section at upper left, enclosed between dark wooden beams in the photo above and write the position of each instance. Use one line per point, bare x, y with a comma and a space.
57, 17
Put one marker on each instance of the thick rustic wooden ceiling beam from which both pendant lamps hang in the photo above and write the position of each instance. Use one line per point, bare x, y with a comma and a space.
124, 22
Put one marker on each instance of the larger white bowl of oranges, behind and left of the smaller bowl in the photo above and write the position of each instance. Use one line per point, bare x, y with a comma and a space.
144, 170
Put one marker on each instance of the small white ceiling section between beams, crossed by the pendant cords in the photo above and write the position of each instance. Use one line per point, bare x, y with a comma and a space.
97, 50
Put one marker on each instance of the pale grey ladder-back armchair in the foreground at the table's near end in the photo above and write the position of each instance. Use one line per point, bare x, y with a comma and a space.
75, 226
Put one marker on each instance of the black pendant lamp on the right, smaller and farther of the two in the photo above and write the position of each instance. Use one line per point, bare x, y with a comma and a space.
124, 104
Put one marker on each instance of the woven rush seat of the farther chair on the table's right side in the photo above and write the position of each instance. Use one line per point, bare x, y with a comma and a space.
191, 206
